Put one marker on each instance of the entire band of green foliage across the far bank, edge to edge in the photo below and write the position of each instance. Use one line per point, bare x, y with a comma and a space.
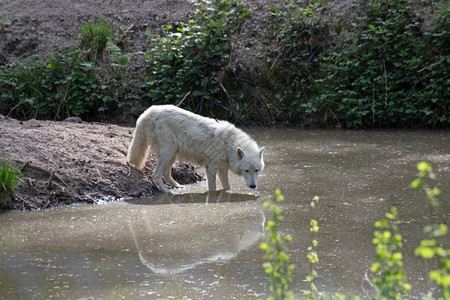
387, 69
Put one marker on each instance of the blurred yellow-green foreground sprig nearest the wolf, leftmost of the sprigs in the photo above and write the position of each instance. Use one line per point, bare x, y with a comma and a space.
276, 266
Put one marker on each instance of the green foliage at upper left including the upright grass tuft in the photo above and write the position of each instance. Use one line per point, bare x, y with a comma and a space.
82, 83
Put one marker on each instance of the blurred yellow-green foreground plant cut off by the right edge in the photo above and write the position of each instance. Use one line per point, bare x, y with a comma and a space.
433, 248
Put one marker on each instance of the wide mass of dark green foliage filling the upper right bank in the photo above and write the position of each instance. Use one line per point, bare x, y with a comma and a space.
387, 70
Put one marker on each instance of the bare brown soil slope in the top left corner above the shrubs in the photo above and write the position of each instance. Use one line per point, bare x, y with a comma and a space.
30, 27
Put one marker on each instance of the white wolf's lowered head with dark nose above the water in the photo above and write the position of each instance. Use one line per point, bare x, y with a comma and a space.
251, 163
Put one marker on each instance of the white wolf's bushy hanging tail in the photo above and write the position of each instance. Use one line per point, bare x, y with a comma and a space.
138, 150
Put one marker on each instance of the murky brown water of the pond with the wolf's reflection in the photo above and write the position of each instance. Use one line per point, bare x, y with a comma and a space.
194, 245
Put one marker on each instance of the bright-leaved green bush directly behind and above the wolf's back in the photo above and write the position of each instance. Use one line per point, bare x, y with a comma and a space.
183, 64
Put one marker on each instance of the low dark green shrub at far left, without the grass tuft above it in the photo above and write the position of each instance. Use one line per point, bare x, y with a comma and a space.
63, 86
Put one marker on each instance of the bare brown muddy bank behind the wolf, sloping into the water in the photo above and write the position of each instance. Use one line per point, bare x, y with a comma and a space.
67, 162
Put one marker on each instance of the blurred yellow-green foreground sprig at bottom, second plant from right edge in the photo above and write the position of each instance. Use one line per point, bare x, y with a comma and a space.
389, 266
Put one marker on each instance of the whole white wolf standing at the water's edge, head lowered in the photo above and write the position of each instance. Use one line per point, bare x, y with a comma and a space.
173, 132
